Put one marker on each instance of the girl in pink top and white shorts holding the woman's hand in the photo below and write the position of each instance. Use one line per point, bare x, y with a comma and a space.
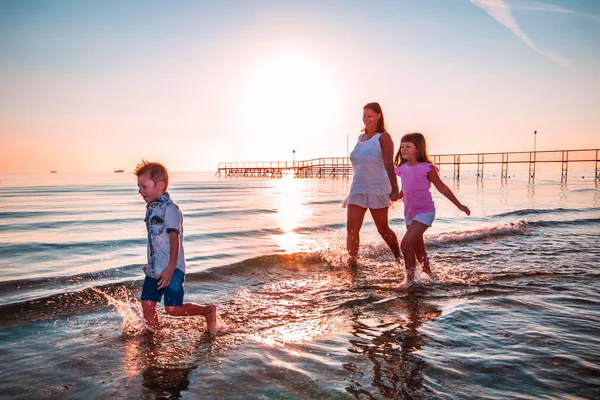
417, 173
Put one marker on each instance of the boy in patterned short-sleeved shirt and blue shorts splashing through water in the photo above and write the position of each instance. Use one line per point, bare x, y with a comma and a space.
165, 271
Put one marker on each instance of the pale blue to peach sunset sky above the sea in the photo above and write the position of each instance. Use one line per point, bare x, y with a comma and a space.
90, 86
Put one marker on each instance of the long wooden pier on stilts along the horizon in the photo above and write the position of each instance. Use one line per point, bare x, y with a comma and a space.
341, 166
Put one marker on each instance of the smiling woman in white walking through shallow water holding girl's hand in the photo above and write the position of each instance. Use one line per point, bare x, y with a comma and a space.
374, 184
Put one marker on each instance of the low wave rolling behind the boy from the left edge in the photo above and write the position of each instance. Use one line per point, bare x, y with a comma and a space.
49, 298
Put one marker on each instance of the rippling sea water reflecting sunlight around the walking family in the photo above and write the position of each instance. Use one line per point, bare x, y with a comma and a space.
513, 314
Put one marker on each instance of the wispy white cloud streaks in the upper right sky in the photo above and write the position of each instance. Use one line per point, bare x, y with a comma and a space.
502, 12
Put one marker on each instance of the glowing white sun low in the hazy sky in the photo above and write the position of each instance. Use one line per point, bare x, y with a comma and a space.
292, 91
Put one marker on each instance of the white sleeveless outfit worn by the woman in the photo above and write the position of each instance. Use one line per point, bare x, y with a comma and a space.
371, 185
